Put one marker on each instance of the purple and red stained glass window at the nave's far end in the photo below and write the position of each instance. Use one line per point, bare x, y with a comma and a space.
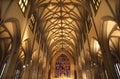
62, 66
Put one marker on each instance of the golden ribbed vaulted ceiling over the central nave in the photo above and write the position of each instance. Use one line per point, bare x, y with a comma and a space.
61, 23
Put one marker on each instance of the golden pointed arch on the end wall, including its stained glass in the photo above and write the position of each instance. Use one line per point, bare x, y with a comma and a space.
62, 65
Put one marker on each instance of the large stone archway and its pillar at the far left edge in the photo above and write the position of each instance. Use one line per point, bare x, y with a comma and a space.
10, 40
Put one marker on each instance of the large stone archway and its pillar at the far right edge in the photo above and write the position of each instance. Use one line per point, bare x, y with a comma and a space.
108, 35
